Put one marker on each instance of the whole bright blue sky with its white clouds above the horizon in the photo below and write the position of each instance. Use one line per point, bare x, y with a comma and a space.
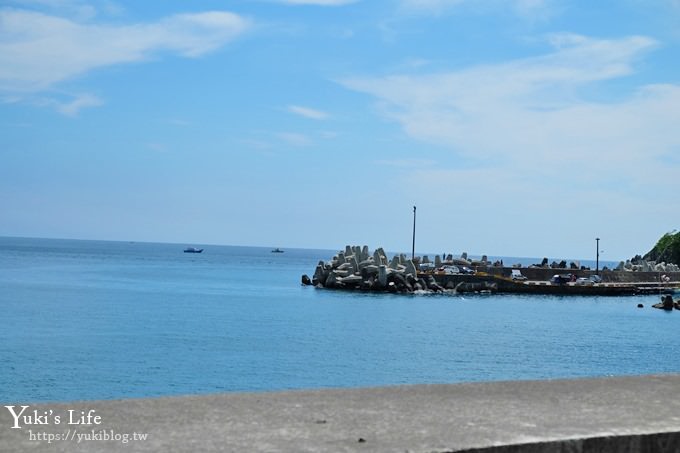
518, 127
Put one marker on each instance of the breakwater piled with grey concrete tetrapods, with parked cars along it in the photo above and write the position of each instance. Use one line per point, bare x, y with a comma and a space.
357, 268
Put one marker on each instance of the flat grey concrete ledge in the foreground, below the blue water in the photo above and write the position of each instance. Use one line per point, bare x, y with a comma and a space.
630, 414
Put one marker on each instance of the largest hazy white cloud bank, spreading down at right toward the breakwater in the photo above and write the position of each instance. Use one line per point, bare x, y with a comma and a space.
536, 147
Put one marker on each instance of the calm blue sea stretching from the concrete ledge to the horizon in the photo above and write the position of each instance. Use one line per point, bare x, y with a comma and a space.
99, 320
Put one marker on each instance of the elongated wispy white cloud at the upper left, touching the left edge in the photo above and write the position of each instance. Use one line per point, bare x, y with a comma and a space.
38, 51
